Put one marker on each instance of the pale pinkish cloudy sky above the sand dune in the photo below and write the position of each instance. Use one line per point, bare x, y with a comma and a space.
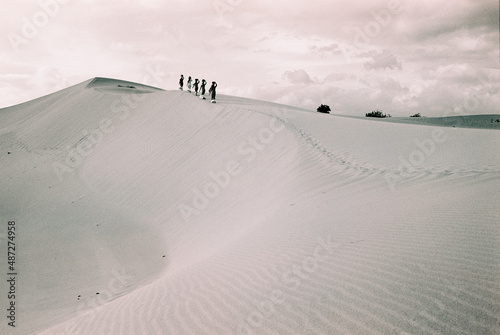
431, 56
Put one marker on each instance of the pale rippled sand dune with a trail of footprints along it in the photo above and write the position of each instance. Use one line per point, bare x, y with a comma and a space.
317, 226
